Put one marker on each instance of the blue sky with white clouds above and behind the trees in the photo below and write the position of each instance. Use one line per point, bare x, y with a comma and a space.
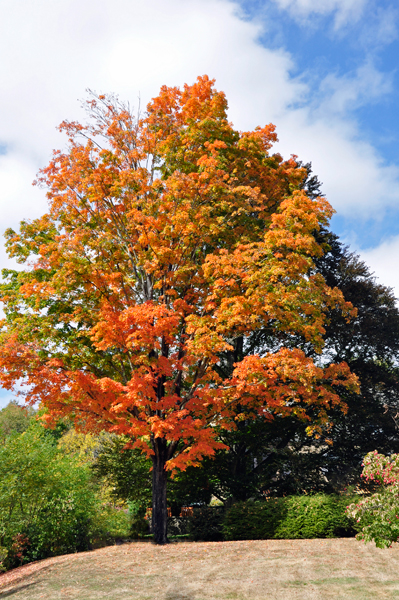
323, 71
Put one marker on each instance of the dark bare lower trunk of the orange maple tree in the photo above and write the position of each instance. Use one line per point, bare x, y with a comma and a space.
159, 503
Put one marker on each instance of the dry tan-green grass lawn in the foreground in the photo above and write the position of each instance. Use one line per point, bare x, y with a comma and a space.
339, 569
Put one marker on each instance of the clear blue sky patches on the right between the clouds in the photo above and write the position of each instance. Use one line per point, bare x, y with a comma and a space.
354, 45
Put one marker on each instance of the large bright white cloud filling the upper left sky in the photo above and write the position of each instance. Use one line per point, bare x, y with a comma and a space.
52, 51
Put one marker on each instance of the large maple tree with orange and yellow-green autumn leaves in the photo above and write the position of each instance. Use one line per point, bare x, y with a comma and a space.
168, 236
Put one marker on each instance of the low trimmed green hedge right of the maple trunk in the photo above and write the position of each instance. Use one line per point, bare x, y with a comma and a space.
318, 516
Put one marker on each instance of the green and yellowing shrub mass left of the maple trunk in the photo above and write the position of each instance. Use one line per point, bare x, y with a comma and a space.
50, 501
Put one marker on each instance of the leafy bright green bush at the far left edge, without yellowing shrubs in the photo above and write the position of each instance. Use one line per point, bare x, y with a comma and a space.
47, 502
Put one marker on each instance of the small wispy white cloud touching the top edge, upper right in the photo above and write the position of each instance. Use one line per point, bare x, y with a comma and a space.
344, 10
